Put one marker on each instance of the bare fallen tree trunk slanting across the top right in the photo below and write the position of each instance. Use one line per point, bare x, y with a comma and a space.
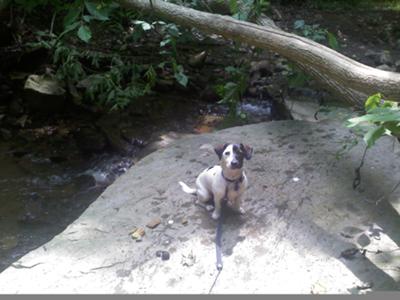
351, 80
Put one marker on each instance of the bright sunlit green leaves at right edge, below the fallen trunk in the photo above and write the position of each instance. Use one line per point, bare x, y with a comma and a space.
382, 118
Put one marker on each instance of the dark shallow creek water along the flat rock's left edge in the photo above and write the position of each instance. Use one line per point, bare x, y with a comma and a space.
39, 198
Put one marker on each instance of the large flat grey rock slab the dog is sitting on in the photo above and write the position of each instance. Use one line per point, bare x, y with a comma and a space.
302, 213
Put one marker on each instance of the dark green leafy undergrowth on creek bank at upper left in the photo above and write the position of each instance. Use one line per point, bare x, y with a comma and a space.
109, 79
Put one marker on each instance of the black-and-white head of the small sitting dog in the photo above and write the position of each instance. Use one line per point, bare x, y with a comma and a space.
232, 155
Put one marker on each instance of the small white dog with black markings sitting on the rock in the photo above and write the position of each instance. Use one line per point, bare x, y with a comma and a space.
226, 181
